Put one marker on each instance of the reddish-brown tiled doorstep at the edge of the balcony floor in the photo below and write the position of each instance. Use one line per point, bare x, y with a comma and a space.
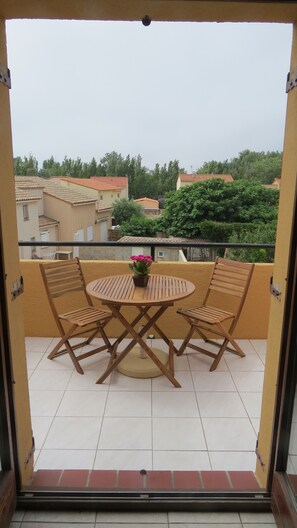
128, 480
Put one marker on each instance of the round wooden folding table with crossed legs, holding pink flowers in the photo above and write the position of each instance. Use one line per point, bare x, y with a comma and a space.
161, 292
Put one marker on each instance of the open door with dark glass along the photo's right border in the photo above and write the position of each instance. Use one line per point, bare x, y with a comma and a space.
284, 477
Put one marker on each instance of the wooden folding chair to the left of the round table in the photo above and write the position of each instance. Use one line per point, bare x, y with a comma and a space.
62, 278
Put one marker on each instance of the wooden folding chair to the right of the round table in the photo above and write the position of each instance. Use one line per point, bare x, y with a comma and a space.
230, 280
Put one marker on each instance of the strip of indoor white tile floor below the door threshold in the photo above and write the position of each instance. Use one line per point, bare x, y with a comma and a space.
39, 519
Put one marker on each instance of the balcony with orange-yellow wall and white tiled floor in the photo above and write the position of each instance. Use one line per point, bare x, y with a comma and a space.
211, 423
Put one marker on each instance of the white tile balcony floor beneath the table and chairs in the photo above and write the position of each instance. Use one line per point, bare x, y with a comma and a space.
128, 423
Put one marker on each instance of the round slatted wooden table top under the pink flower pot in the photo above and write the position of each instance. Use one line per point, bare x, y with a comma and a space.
120, 289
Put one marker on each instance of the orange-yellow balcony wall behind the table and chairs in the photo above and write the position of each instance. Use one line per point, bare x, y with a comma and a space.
253, 323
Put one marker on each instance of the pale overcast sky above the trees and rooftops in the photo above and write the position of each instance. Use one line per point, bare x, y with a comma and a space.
194, 92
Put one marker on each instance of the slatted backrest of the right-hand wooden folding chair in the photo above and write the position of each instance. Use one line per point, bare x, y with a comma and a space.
231, 278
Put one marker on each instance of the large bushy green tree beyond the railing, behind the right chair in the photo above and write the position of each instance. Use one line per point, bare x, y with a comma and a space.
217, 201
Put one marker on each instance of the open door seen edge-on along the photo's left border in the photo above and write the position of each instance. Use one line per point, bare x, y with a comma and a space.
7, 447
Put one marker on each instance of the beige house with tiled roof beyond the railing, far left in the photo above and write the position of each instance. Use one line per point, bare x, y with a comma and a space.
54, 212
